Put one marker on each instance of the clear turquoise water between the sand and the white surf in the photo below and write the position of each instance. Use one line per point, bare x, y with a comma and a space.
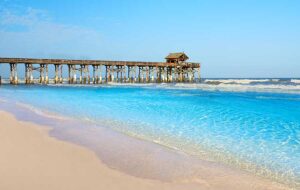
256, 131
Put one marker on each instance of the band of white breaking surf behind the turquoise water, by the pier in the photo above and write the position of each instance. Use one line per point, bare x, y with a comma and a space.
277, 85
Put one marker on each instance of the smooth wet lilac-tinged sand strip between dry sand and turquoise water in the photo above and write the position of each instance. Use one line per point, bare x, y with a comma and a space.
132, 155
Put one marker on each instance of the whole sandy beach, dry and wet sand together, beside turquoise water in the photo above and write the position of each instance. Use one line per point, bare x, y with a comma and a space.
32, 159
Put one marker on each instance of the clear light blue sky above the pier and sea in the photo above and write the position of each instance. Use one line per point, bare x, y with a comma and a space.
231, 39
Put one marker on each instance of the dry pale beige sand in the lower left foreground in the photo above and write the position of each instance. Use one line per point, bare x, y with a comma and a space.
31, 160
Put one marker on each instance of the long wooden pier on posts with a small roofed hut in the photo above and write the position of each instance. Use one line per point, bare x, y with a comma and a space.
175, 69
